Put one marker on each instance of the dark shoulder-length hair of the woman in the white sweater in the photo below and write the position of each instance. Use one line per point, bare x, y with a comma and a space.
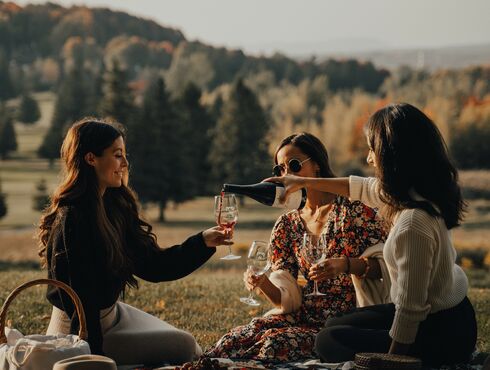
411, 155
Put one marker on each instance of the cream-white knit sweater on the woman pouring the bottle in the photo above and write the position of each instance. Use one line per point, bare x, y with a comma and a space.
420, 258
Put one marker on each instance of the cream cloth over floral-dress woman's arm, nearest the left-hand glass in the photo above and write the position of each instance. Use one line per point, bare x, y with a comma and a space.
291, 297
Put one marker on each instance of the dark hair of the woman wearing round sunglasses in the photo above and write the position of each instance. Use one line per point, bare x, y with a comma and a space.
311, 146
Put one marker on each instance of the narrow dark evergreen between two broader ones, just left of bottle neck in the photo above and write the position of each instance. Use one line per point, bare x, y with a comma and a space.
197, 126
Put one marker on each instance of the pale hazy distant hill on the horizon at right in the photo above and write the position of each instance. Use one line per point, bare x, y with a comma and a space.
430, 59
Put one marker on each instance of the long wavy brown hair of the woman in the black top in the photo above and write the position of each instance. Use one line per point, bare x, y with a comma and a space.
116, 216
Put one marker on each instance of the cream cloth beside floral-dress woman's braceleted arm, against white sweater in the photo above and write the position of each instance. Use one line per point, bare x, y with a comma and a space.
373, 291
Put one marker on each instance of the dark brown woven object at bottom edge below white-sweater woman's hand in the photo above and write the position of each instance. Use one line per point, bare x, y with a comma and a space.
385, 361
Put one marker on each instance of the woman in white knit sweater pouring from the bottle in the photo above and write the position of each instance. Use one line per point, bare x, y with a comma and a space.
416, 191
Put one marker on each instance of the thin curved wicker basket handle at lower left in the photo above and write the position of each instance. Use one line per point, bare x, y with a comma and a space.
82, 333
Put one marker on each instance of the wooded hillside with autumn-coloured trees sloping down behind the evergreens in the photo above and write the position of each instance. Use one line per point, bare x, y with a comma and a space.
38, 42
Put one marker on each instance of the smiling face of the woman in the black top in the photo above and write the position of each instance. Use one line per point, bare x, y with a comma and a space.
111, 167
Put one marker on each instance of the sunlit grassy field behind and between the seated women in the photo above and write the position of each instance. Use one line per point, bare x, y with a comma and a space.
205, 303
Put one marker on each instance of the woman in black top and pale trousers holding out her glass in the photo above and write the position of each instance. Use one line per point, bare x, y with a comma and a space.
92, 238
